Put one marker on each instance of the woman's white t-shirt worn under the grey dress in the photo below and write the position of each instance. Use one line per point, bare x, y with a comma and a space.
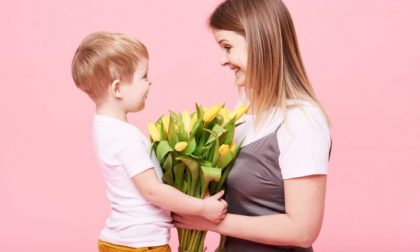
303, 139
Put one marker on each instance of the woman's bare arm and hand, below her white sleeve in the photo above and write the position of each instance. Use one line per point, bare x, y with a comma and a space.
299, 226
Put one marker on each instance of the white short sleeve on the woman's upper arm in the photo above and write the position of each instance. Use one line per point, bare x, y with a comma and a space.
304, 143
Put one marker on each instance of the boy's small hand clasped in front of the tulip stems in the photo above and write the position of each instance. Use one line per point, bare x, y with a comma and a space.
215, 208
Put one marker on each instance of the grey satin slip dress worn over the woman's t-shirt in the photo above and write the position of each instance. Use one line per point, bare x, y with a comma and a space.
255, 187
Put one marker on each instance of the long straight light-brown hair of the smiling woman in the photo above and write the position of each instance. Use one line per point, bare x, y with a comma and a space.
275, 70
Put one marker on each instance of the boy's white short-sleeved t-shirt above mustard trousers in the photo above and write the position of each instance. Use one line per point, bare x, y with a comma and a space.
123, 152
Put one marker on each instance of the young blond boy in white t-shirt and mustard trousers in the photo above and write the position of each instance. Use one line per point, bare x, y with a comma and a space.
112, 69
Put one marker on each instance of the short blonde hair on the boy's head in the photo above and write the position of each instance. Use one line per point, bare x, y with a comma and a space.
103, 57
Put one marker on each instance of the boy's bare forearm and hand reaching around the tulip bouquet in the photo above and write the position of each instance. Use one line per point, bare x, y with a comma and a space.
170, 198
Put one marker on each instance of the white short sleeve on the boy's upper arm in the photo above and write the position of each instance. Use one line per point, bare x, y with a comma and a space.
134, 156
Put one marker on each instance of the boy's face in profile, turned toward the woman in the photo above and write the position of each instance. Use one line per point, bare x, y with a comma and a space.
135, 93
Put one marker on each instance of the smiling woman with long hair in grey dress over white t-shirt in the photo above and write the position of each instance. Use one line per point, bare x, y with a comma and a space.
276, 189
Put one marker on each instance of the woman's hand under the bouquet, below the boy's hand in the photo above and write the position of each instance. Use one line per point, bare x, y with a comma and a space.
193, 222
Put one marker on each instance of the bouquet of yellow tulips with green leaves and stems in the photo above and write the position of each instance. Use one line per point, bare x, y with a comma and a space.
196, 151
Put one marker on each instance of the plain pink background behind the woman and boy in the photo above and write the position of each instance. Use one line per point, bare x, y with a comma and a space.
361, 56
